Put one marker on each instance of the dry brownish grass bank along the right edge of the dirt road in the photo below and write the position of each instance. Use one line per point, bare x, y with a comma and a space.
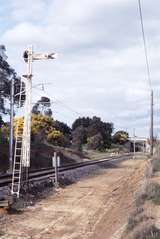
140, 225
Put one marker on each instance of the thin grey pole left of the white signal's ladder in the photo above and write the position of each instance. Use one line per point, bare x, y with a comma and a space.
11, 123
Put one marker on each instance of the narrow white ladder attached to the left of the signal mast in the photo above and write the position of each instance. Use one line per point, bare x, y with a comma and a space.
17, 161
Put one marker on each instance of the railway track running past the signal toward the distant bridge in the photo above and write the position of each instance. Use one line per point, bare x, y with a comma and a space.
44, 173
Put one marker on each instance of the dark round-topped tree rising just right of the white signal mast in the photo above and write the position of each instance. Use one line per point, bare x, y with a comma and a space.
42, 107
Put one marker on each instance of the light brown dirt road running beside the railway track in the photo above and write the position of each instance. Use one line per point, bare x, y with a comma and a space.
94, 208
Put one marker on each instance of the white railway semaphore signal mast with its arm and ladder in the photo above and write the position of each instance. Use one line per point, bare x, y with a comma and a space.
23, 135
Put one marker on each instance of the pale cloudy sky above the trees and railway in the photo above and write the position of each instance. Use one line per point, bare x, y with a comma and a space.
100, 69
